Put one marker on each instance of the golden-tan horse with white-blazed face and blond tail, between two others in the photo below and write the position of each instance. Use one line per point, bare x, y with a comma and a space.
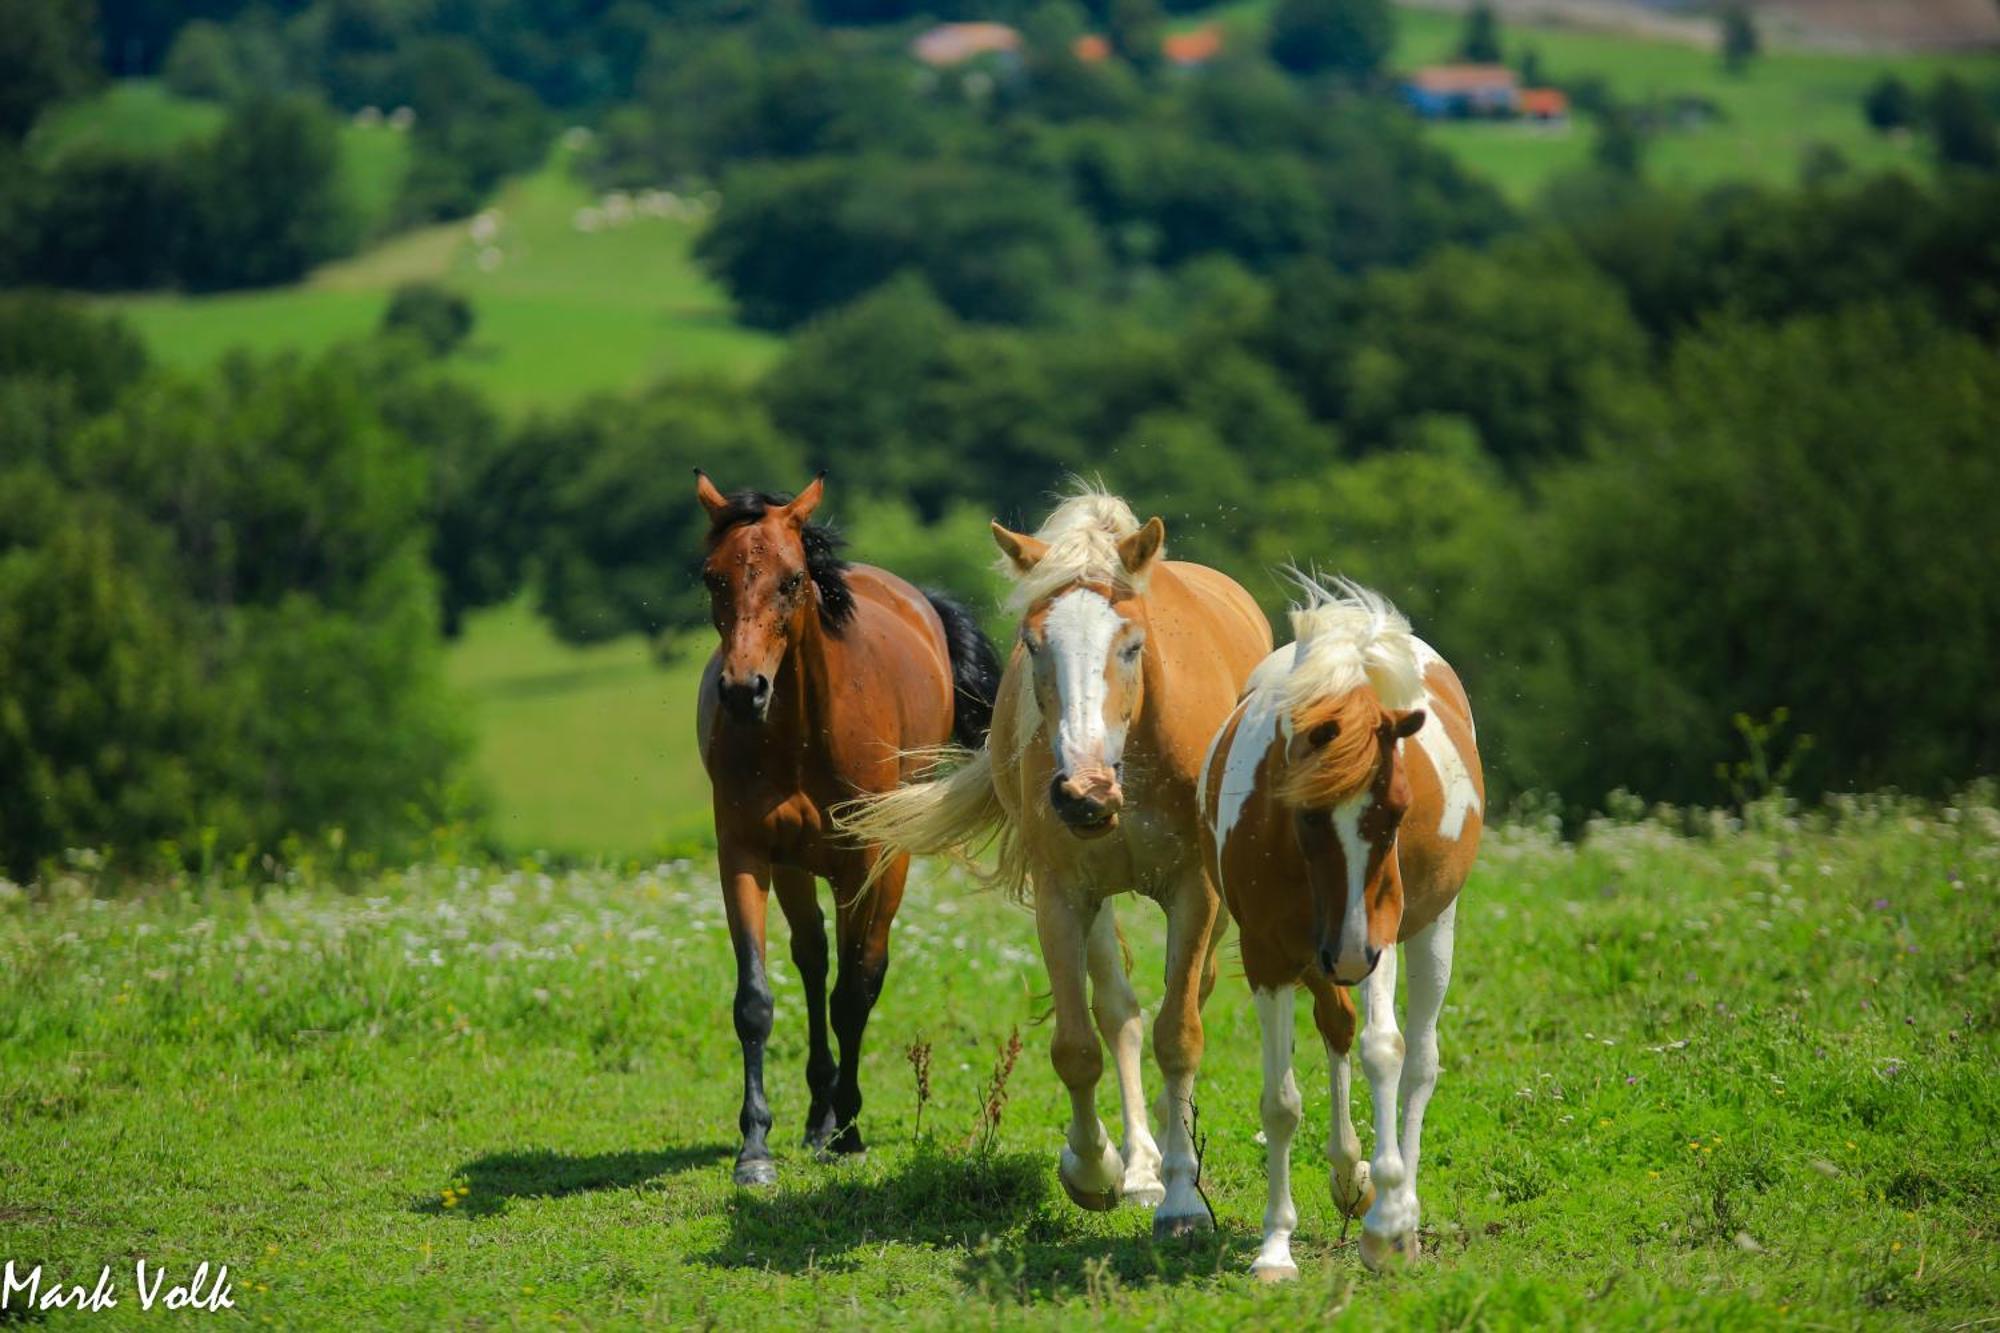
1127, 665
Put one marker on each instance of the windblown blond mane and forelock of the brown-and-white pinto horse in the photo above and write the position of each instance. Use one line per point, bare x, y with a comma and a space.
1353, 661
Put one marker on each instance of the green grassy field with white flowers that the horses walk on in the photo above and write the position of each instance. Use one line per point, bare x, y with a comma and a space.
1745, 1080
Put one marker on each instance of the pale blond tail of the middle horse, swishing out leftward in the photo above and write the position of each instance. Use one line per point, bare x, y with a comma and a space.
951, 816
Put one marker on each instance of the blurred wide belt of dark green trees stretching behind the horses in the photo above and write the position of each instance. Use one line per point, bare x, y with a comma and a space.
1653, 469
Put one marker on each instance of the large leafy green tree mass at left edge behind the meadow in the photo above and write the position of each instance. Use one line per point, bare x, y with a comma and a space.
217, 619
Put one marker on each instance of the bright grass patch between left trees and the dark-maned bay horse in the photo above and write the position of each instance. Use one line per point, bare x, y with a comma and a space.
583, 752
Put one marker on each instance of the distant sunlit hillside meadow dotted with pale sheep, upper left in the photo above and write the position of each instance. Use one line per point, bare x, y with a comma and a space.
565, 315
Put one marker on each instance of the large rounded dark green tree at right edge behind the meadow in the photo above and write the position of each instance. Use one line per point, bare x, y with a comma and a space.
1791, 527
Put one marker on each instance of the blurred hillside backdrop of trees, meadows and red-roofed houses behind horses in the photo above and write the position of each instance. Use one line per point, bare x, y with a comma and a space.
355, 357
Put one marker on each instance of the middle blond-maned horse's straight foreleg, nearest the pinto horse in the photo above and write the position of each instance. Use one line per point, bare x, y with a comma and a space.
1177, 1044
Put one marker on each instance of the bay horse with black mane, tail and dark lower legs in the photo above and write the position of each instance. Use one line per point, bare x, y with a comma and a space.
825, 676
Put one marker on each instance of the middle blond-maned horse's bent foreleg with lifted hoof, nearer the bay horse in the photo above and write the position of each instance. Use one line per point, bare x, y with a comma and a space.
1091, 1170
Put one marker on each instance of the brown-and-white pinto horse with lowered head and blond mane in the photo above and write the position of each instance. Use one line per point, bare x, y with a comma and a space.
1341, 810
